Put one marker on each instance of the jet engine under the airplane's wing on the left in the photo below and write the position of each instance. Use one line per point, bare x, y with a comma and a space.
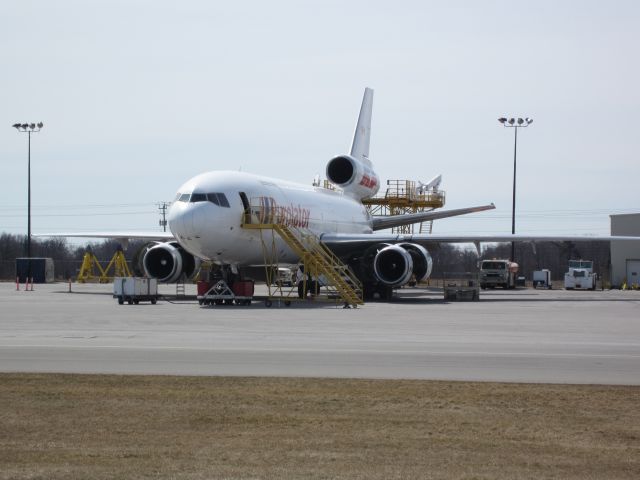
167, 261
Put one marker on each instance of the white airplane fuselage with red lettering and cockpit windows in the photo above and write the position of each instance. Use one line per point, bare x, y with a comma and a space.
209, 211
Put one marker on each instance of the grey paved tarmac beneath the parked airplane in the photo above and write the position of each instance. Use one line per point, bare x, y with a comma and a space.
523, 335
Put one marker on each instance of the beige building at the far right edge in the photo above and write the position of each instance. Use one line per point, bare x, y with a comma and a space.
625, 256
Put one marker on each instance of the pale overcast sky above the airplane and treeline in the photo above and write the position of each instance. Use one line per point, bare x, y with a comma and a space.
139, 96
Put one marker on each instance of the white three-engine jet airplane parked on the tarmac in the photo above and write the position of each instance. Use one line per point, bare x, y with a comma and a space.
208, 212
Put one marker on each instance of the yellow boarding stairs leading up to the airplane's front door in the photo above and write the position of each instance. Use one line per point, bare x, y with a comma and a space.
317, 259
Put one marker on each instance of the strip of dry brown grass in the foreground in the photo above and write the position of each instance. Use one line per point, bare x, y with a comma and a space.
75, 426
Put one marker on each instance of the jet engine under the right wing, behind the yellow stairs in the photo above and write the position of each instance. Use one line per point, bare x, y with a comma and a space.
394, 265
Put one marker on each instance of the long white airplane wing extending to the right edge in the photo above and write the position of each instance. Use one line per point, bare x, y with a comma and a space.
345, 243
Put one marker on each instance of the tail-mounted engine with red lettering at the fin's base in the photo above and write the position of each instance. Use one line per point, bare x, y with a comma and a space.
353, 176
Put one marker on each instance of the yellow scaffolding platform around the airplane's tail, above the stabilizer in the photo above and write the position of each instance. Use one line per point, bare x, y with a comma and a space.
402, 197
